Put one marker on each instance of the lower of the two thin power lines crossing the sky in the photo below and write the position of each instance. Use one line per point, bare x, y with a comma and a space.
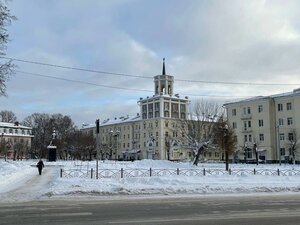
115, 87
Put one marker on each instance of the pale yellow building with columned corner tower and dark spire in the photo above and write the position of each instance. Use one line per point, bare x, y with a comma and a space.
153, 132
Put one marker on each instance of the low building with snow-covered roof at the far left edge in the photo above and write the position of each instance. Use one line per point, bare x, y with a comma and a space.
15, 140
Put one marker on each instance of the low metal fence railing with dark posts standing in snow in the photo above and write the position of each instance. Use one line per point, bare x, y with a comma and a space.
125, 173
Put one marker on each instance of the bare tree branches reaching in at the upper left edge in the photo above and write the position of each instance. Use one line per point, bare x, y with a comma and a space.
6, 66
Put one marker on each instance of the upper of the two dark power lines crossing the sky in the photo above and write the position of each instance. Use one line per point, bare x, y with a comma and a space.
148, 77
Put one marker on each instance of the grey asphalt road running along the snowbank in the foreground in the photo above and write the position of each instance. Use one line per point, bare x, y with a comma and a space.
205, 210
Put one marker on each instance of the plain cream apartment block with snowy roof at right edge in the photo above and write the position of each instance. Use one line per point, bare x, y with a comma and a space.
267, 125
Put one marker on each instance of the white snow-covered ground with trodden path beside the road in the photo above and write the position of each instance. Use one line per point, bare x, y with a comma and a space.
19, 180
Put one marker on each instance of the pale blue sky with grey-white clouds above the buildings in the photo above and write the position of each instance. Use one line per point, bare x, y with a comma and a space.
214, 41
